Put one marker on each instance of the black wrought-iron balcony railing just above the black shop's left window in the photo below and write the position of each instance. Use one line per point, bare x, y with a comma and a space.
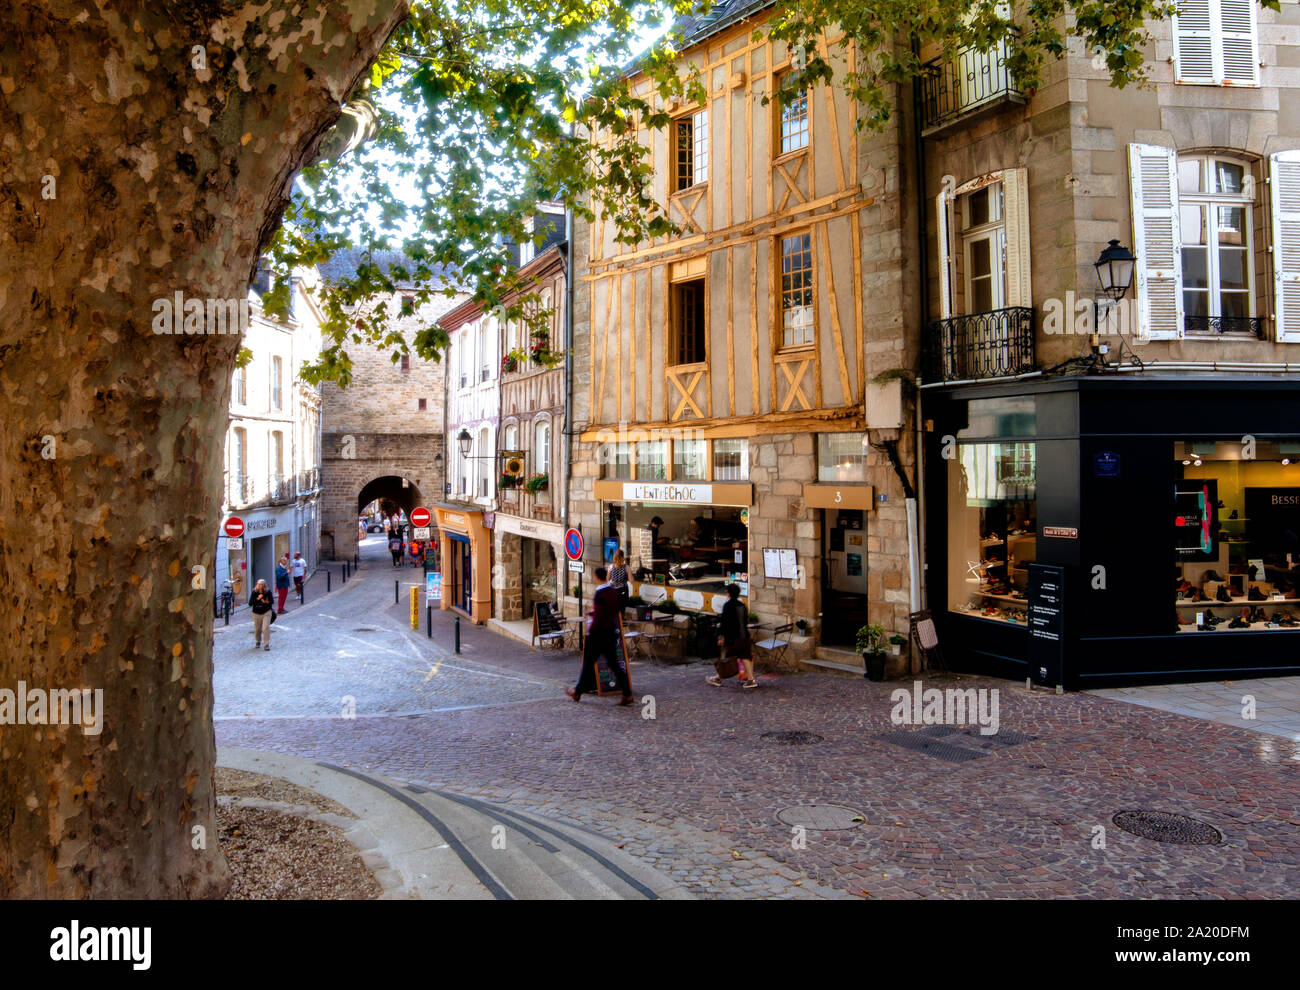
994, 345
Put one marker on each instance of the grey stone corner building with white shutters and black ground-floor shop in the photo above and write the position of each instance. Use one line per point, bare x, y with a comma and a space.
1094, 442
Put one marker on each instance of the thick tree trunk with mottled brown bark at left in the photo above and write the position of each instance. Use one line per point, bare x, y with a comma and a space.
128, 175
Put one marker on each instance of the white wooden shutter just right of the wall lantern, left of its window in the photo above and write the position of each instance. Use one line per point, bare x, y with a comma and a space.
1154, 183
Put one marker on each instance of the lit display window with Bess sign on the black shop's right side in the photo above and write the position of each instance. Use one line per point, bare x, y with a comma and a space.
1237, 536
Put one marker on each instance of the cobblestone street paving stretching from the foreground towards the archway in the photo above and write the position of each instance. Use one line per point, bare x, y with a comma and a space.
696, 791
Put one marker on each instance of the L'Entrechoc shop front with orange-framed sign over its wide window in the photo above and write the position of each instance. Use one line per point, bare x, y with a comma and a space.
683, 541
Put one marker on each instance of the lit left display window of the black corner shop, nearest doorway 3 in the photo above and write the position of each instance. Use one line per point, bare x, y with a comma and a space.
993, 529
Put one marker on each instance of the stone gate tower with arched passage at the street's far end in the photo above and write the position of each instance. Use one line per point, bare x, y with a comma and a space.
383, 437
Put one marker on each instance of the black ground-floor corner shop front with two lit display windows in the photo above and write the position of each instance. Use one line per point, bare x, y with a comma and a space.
1116, 531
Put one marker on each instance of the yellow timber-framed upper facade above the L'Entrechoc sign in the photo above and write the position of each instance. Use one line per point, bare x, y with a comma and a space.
733, 225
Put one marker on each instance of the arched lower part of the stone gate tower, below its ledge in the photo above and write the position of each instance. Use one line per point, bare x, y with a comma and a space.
358, 468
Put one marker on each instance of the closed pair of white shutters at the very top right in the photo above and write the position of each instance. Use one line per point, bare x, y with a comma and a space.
1216, 44
